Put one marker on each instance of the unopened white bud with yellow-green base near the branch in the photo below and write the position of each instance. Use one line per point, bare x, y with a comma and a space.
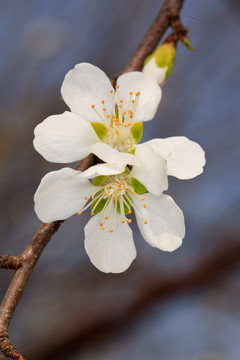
160, 63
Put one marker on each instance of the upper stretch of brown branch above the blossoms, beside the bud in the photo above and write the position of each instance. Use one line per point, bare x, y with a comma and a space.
168, 11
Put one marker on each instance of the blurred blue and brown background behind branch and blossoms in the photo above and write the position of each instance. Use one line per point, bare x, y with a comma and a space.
166, 306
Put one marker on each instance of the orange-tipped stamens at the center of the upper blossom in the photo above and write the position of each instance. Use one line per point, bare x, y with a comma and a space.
119, 125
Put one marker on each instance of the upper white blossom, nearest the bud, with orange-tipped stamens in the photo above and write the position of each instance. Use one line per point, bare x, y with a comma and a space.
104, 121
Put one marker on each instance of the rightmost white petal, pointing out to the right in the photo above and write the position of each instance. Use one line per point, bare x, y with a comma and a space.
185, 158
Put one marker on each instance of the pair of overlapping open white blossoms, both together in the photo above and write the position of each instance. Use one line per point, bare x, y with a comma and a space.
130, 177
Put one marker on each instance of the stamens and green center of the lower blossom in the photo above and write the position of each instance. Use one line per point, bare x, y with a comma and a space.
115, 194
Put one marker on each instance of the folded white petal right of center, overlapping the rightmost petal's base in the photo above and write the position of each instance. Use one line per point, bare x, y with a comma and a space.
153, 170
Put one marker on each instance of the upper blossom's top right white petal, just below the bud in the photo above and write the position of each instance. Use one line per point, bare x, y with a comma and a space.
150, 93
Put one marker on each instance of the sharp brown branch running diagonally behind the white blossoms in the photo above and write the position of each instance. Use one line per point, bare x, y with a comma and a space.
25, 262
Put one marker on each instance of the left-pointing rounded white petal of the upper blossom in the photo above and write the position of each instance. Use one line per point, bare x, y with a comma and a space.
64, 138
